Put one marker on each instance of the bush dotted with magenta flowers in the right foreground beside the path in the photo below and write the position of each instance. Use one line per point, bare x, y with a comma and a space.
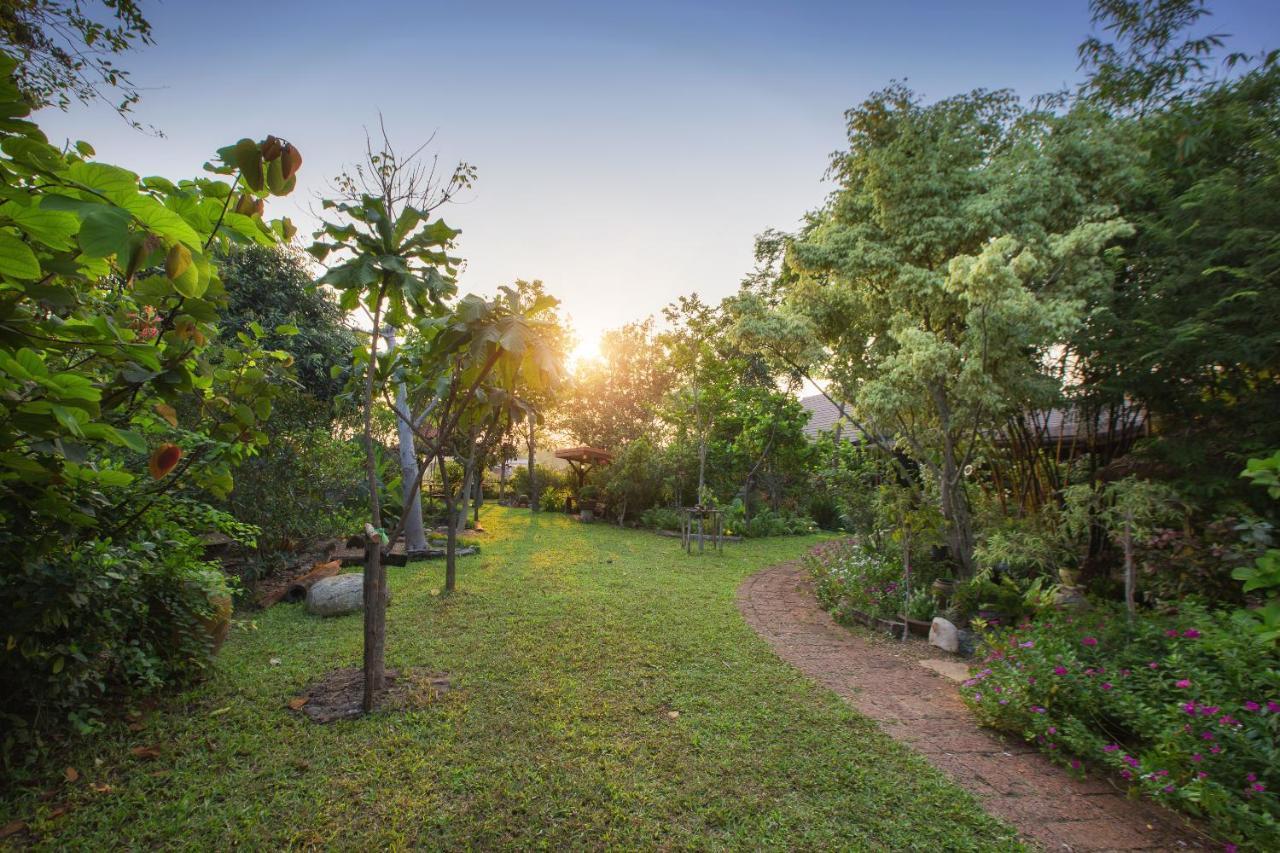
1182, 706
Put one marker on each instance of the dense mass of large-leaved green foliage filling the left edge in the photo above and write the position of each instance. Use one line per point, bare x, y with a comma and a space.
121, 409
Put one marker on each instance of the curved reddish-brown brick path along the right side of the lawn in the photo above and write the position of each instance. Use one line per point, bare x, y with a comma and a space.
1046, 805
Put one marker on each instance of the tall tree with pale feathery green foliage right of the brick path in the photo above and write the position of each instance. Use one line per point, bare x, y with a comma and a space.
962, 245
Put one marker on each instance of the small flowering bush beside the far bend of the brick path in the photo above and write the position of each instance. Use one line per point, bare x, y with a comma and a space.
851, 577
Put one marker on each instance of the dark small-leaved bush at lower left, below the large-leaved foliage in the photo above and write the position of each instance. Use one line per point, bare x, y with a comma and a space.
102, 623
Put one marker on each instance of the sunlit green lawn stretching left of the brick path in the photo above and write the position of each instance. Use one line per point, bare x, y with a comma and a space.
570, 647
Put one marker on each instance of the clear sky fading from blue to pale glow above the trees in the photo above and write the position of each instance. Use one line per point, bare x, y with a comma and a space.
627, 153
